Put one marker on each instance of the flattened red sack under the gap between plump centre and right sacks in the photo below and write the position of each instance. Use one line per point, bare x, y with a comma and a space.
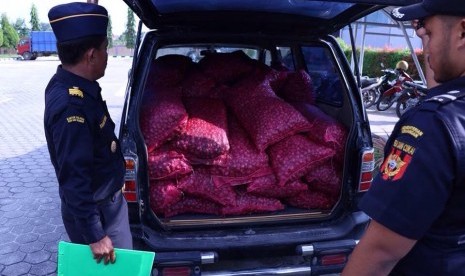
267, 186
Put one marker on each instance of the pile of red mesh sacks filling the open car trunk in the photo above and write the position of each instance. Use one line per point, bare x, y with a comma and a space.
232, 136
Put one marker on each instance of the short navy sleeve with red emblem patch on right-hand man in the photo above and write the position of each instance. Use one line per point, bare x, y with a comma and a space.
416, 178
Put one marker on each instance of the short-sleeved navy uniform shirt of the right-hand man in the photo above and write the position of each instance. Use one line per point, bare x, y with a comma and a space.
420, 190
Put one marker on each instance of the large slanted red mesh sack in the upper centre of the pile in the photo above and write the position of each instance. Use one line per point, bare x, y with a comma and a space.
267, 119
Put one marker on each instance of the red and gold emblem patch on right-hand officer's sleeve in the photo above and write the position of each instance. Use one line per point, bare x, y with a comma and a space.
395, 164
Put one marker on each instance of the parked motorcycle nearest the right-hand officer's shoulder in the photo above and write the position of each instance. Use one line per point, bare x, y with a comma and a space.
412, 94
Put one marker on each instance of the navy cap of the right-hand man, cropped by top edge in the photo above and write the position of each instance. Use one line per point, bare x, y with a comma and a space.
429, 8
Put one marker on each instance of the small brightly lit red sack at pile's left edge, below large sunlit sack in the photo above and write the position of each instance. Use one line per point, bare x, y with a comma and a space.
165, 163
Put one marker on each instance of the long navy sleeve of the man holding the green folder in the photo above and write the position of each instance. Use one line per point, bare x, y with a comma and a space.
72, 135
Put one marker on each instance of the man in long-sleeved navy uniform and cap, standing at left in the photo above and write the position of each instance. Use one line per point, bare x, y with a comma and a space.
80, 134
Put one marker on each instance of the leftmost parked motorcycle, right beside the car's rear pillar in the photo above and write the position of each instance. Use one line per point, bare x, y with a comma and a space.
373, 88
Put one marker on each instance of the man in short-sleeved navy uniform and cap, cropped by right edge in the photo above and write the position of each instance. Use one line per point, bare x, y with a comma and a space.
417, 202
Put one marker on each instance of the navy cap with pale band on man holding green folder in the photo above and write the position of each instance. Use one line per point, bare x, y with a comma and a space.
77, 20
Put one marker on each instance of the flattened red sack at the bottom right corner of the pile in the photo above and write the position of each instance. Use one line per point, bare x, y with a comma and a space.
312, 200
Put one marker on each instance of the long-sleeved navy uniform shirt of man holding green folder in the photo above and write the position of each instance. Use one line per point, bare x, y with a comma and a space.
83, 148
